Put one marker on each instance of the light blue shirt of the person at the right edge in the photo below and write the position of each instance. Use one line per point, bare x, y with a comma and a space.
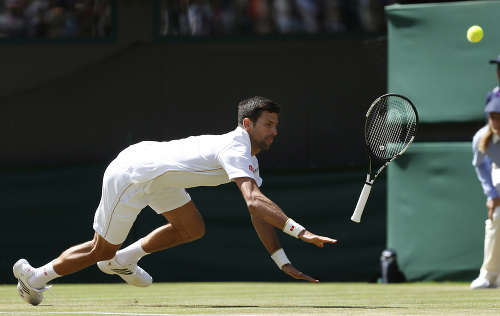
482, 162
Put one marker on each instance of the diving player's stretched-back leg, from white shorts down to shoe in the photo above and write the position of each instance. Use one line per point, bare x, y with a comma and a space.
112, 223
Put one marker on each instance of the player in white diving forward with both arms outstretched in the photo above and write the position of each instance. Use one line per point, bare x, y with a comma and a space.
157, 174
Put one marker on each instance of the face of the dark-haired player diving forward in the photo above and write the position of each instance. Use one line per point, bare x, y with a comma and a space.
262, 132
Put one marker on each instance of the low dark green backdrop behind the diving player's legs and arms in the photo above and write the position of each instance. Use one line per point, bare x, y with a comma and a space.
50, 209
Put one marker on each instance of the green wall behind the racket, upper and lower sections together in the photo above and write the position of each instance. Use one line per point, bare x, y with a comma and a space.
435, 204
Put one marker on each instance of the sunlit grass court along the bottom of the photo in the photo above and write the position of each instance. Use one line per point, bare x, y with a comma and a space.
294, 298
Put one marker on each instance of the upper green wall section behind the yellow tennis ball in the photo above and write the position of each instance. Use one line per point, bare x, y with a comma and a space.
432, 62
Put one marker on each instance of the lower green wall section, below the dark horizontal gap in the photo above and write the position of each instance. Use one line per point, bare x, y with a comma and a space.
436, 212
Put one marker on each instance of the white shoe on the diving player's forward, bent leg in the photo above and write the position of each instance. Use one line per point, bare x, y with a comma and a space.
131, 273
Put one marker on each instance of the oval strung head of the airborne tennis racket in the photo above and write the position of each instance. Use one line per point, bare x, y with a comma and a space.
390, 127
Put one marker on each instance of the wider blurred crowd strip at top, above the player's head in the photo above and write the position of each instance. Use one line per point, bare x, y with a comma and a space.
206, 17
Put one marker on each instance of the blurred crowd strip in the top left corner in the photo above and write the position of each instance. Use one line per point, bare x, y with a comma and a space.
54, 18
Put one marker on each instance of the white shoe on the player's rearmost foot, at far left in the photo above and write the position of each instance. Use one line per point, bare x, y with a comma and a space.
23, 271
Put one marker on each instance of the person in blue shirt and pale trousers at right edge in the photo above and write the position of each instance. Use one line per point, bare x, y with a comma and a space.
486, 149
